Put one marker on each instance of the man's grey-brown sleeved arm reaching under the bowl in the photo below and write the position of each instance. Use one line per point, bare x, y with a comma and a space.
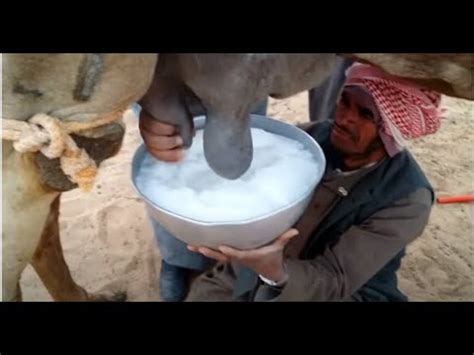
359, 254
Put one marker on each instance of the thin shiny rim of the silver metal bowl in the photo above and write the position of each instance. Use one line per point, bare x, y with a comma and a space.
141, 150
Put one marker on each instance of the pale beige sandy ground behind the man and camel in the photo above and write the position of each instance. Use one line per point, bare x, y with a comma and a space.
109, 246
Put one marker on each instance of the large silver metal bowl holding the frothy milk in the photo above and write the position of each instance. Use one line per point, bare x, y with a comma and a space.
245, 234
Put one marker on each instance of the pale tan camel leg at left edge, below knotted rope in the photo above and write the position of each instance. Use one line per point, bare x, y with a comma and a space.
25, 208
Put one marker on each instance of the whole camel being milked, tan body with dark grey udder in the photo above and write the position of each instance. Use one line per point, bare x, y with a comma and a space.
82, 88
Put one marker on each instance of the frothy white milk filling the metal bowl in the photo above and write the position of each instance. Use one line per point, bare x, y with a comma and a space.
281, 172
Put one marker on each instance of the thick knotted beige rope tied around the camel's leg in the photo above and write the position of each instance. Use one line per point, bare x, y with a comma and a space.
52, 137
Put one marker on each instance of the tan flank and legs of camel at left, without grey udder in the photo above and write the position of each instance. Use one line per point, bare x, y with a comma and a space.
71, 88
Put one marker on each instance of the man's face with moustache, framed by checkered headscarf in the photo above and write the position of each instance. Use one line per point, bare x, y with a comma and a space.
355, 130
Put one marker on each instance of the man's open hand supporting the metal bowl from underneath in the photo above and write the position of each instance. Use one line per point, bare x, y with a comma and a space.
266, 261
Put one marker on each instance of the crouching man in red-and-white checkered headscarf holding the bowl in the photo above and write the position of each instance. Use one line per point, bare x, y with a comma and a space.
373, 200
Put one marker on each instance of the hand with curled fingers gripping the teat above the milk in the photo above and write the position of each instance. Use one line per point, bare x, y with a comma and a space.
161, 139
